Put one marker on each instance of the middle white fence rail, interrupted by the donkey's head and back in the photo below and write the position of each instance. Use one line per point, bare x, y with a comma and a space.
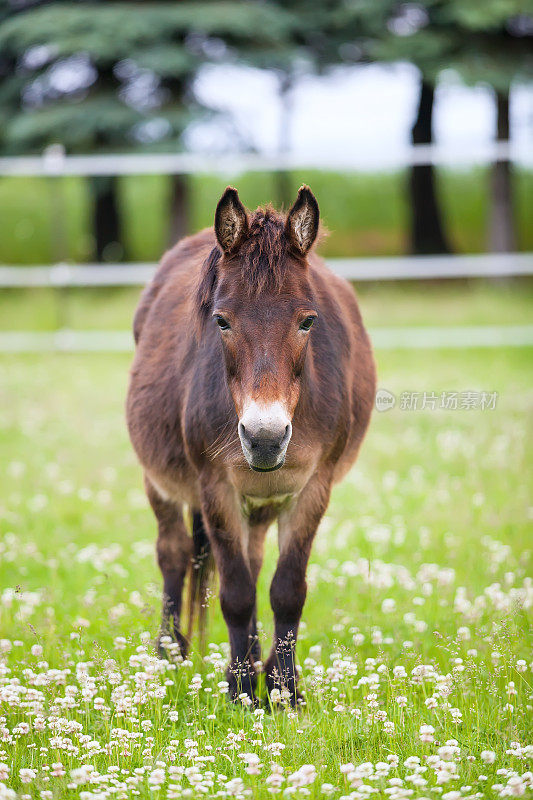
357, 269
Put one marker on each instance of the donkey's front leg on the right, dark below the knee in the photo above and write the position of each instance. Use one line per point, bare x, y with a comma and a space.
288, 590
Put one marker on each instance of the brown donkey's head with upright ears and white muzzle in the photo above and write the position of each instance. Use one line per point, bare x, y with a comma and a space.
256, 289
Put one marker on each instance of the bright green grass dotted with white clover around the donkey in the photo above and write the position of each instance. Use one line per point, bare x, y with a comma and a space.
432, 520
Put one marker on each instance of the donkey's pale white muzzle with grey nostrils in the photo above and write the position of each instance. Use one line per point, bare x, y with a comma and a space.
264, 441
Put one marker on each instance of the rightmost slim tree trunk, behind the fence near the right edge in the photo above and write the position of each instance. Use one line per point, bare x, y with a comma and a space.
502, 235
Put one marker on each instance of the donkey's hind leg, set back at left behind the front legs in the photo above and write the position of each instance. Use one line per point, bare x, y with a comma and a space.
174, 551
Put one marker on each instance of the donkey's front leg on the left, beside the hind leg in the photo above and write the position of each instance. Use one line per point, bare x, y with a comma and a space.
237, 587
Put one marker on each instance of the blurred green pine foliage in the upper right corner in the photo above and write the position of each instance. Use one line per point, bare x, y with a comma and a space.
484, 41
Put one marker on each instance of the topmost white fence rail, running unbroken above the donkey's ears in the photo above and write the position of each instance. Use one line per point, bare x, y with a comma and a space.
54, 161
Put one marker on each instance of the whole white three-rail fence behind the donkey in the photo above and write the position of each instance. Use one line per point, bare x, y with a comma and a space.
54, 163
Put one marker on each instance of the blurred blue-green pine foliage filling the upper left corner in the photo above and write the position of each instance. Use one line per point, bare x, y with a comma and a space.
135, 65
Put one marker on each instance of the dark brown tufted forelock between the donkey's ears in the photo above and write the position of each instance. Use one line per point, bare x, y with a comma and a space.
263, 255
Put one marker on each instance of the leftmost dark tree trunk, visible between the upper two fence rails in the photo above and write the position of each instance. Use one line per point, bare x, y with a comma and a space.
106, 219
